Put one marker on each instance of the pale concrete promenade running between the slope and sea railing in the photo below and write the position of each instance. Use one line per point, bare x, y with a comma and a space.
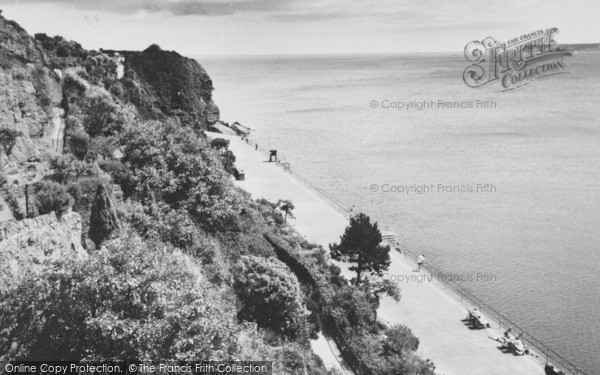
434, 316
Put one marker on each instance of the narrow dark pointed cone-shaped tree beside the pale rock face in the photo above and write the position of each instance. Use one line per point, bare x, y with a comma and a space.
103, 218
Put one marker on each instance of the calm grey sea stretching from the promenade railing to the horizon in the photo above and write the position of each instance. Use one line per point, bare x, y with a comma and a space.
537, 233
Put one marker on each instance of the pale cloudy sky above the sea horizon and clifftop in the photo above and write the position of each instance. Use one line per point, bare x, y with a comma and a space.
281, 27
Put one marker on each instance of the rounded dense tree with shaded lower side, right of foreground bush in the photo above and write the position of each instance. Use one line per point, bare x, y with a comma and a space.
270, 295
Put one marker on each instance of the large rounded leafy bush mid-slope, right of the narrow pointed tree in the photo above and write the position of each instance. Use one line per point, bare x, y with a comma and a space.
173, 163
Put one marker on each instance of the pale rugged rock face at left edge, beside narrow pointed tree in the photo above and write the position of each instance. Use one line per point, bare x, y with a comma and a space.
25, 244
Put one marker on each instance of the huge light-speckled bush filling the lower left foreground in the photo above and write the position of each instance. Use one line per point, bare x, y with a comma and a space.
129, 301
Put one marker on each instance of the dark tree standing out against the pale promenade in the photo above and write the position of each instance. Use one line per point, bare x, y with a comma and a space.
361, 244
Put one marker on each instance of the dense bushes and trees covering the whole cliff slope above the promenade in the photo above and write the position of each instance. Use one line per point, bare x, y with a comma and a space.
182, 265
